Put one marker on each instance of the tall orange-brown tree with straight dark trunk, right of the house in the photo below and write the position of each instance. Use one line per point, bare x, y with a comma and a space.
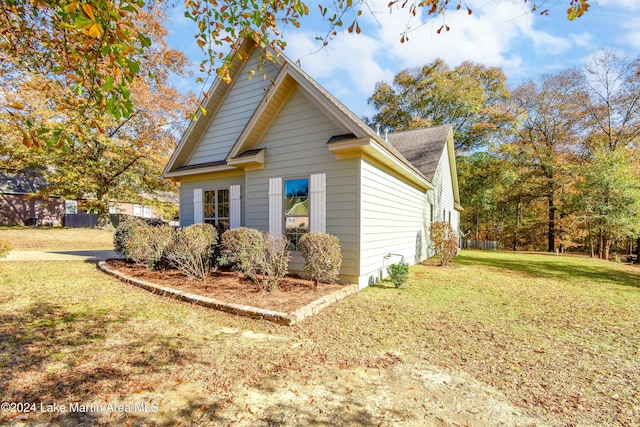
547, 141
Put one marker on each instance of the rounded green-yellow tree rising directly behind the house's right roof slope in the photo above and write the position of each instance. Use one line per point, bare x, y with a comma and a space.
471, 97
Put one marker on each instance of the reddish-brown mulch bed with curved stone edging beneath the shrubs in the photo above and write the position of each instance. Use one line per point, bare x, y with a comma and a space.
230, 286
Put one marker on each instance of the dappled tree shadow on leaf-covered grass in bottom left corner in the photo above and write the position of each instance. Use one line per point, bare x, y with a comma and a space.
50, 355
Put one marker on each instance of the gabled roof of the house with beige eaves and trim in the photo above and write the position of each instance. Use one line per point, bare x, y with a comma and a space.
414, 154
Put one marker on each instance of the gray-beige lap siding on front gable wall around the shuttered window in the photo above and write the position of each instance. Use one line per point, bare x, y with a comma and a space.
296, 146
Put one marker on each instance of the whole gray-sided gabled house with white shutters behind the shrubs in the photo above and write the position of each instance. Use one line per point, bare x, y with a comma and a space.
282, 155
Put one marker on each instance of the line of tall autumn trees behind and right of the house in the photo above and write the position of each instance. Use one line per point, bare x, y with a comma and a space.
555, 163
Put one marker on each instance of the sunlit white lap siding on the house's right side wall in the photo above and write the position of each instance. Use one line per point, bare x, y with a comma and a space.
393, 221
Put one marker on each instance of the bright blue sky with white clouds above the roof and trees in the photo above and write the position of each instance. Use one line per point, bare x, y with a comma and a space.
502, 34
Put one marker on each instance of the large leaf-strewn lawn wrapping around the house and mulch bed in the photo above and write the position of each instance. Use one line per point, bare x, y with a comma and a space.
500, 337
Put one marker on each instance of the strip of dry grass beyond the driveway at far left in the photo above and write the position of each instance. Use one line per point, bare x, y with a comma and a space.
49, 239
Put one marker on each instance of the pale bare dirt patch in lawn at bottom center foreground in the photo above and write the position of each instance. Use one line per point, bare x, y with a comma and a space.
406, 394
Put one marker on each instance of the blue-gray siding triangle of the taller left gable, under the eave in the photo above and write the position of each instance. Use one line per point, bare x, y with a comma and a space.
234, 114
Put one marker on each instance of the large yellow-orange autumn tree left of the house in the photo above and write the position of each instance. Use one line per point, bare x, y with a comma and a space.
105, 157
